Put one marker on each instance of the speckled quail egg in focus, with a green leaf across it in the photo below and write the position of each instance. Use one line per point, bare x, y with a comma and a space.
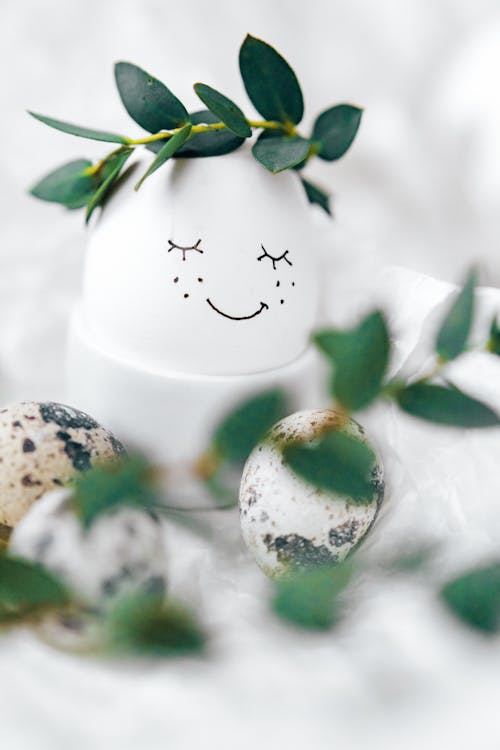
287, 523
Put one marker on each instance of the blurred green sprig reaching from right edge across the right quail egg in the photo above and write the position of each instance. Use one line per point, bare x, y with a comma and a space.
359, 360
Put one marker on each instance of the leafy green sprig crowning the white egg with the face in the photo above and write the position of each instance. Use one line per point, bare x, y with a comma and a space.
273, 89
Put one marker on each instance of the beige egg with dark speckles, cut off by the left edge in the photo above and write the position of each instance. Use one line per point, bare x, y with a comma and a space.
42, 446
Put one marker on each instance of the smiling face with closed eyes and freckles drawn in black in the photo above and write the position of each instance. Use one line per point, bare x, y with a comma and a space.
280, 287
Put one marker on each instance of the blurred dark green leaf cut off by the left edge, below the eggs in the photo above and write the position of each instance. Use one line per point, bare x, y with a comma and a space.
27, 588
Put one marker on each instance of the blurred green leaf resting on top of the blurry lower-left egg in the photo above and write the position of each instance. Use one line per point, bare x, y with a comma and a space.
127, 481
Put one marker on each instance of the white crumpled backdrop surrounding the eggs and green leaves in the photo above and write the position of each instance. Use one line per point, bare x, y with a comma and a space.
420, 189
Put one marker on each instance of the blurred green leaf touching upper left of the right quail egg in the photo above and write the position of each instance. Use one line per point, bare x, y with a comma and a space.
245, 426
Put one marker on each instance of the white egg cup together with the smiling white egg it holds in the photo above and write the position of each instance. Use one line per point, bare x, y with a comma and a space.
199, 290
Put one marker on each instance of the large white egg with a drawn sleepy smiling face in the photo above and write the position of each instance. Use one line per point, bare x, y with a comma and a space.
210, 268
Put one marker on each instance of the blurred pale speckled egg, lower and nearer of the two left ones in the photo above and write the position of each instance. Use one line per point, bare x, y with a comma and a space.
123, 550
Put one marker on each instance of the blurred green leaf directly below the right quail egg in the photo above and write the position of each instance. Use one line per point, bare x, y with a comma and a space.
309, 599
